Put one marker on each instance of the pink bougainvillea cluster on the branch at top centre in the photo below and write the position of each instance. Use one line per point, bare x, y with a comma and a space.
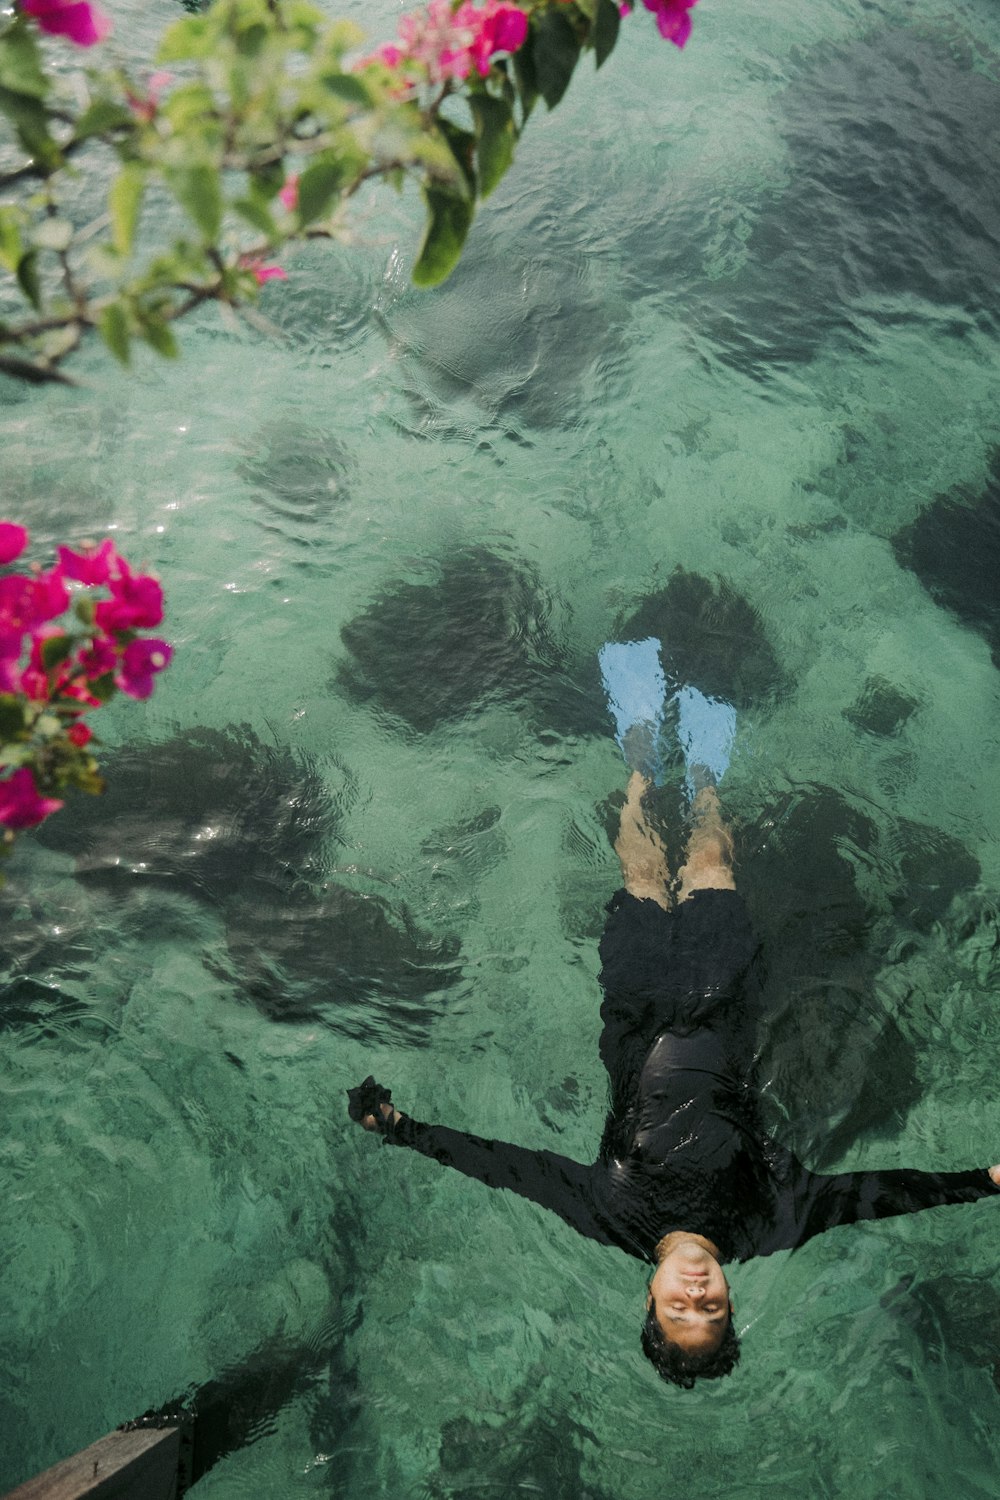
448, 41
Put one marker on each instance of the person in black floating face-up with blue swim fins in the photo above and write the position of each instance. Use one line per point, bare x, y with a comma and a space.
686, 1177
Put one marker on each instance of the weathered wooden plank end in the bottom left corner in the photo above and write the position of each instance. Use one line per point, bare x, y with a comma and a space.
124, 1466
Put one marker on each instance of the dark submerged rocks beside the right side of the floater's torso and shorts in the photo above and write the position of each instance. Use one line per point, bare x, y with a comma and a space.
830, 890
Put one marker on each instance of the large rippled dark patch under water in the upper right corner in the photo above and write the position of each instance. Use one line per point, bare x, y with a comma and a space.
893, 161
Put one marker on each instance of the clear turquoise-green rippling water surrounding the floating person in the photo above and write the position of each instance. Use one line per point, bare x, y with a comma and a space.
734, 314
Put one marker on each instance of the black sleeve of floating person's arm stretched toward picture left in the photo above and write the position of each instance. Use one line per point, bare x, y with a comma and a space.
555, 1183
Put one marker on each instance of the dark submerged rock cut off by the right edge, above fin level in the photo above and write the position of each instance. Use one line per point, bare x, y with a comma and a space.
954, 550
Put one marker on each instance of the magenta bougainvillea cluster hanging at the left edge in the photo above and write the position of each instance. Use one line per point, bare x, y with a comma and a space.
59, 673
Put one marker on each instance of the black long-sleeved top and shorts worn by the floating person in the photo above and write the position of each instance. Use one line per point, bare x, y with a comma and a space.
683, 1147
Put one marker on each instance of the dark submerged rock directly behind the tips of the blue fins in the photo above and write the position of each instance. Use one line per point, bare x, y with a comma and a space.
713, 640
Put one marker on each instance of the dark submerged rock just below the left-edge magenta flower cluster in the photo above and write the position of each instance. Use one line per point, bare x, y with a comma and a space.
205, 814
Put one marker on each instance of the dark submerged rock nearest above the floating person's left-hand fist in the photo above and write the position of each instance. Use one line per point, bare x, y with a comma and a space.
344, 961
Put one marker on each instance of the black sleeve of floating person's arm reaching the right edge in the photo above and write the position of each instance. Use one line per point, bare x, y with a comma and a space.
824, 1202
